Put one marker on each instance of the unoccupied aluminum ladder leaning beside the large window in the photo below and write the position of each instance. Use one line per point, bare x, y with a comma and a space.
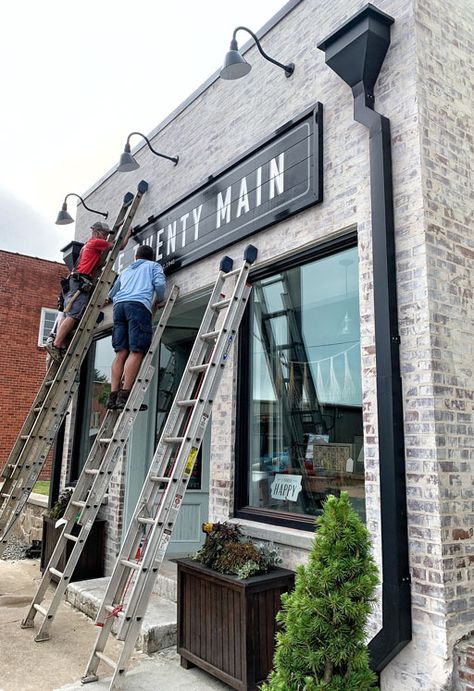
150, 530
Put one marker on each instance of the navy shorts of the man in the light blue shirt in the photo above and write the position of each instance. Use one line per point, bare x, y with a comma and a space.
132, 327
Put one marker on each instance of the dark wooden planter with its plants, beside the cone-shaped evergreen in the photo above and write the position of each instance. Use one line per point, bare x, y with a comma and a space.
228, 597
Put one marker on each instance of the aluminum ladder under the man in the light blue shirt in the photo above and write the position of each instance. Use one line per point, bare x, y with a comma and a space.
92, 485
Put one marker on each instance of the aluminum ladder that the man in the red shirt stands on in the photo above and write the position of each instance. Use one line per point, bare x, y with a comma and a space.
50, 405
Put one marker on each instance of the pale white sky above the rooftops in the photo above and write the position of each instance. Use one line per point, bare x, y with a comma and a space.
77, 77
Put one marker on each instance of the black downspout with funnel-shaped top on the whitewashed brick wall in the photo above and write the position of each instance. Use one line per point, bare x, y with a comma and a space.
356, 52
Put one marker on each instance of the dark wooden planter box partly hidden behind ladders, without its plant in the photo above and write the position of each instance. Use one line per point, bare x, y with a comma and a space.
91, 561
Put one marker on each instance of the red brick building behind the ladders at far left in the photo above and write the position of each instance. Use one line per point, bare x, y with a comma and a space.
28, 299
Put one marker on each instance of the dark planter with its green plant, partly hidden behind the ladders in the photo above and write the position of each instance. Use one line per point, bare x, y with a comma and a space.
91, 561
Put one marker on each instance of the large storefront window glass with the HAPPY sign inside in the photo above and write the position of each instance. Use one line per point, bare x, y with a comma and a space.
304, 437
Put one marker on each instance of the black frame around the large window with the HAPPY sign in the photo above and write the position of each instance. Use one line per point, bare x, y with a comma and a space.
242, 509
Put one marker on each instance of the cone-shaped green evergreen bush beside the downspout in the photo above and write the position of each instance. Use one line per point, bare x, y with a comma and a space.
321, 646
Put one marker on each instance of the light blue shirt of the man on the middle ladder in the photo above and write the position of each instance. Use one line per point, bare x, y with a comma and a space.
138, 282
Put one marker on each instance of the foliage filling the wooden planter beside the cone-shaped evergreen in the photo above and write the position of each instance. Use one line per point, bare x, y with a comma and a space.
227, 550
